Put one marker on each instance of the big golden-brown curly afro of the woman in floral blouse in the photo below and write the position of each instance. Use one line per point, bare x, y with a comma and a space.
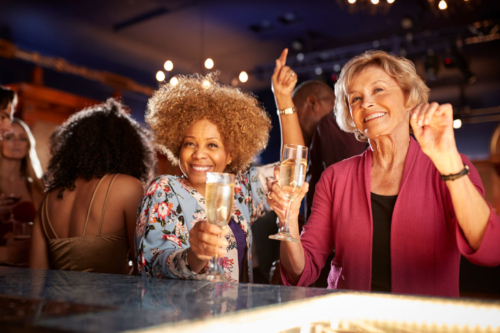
243, 124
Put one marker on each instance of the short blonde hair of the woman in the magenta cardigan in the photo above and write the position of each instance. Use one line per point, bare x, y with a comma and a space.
400, 69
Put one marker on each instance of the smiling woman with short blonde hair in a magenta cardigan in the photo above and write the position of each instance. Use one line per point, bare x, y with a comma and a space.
400, 215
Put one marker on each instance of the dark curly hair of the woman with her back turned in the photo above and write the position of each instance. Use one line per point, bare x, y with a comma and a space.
96, 141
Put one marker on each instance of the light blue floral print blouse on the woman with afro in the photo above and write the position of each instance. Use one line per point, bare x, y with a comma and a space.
171, 207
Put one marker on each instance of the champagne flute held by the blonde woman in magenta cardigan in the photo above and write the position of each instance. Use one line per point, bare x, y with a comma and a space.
292, 176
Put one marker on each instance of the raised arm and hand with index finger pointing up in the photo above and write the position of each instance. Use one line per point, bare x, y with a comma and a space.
284, 80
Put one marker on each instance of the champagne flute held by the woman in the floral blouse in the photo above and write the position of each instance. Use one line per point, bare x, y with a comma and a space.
219, 195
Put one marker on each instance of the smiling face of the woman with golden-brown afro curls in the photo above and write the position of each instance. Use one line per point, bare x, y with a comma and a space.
202, 151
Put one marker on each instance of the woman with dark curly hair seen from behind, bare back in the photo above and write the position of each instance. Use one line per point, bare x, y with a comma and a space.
101, 159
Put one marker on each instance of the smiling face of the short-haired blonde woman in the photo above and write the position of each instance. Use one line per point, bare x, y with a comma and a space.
377, 103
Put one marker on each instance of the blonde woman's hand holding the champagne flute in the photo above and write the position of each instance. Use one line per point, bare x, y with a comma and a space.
279, 201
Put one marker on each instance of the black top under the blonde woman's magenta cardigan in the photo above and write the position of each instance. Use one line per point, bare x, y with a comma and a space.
382, 208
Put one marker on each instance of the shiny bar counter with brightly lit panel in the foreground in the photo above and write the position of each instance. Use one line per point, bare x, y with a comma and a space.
59, 301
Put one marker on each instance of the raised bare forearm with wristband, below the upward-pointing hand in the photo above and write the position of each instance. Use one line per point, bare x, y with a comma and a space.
289, 123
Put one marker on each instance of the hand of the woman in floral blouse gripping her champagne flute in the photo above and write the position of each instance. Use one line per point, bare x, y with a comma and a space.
207, 240
